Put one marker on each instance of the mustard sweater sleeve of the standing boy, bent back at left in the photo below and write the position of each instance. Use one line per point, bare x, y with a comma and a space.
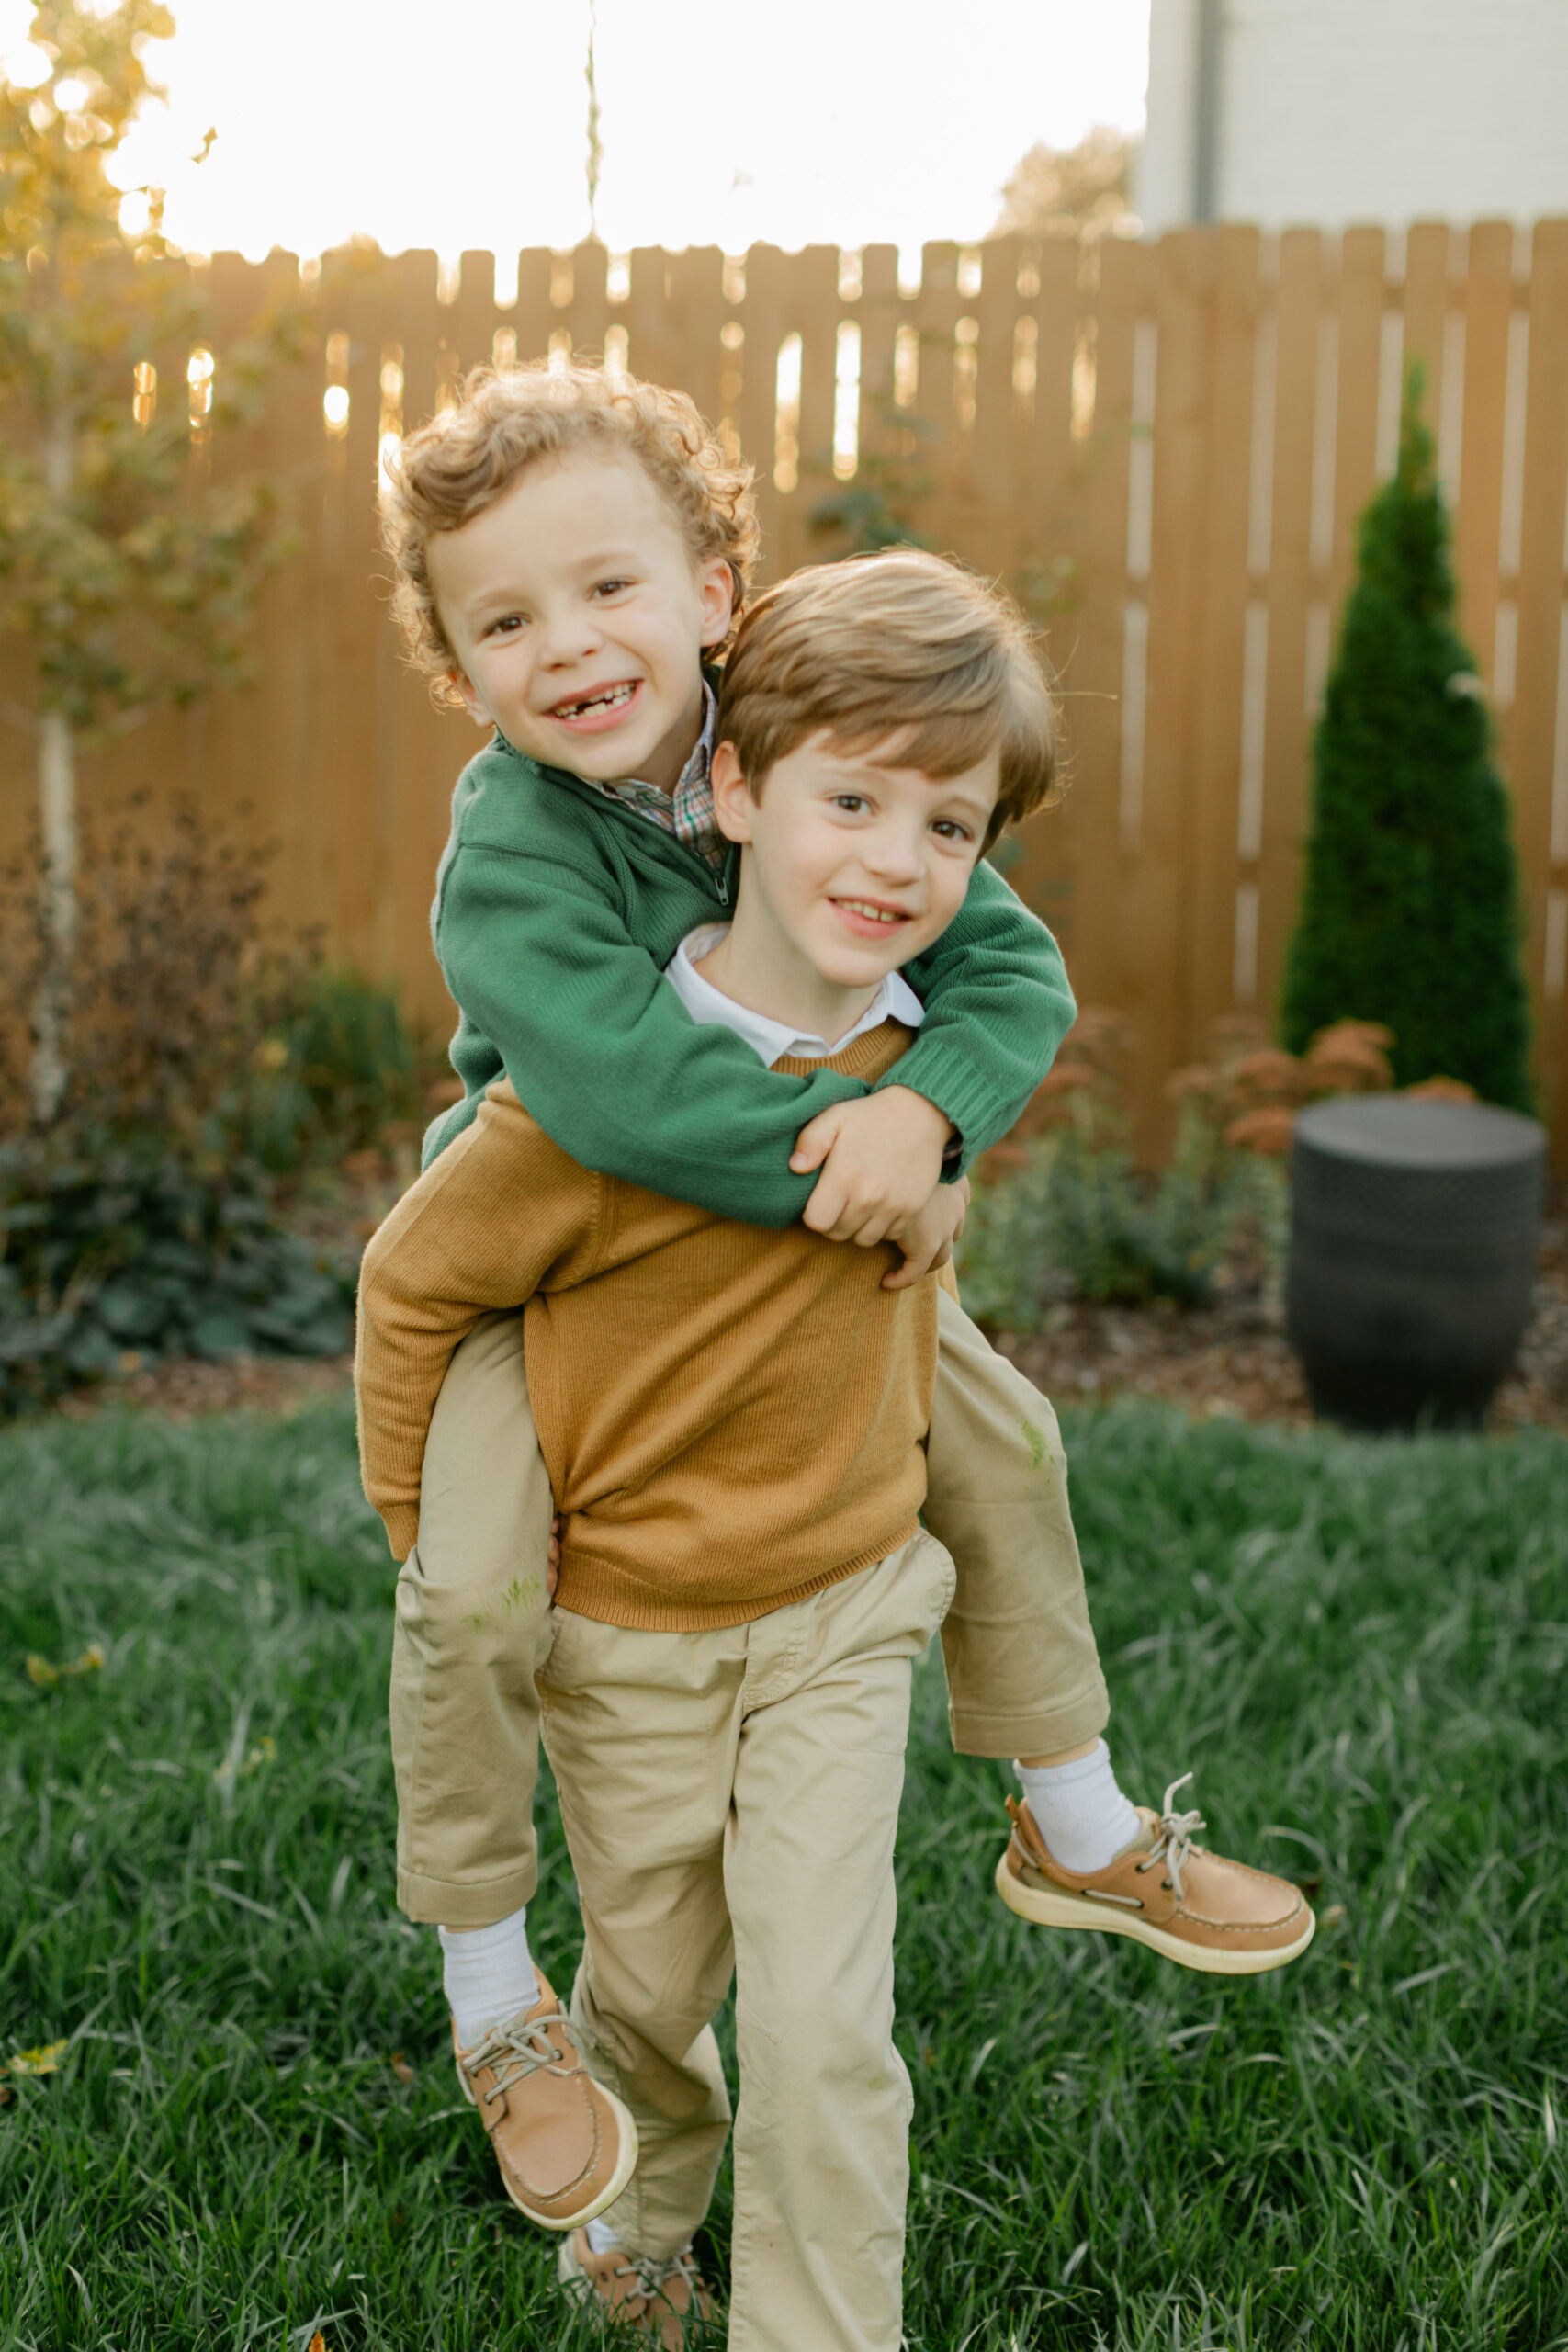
483, 1229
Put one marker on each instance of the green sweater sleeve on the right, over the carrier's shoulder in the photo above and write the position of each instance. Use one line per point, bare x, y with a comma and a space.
998, 1008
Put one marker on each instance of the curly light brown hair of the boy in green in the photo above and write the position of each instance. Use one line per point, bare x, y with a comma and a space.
509, 420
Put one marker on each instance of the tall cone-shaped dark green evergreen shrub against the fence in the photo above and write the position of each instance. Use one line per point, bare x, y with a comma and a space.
1409, 904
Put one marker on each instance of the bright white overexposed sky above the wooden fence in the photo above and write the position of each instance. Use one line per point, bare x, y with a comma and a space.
319, 126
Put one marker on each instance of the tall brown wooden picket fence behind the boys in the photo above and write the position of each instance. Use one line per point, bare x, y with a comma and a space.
1162, 448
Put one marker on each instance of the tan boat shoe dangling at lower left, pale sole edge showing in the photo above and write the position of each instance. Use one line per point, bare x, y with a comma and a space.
563, 2141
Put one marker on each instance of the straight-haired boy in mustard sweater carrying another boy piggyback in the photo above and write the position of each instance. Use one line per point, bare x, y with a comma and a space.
735, 1429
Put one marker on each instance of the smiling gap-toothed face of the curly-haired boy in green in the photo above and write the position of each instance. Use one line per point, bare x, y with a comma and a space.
579, 620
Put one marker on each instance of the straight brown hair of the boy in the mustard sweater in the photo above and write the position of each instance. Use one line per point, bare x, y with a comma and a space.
894, 646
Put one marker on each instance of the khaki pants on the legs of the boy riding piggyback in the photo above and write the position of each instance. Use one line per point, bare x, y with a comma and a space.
474, 1626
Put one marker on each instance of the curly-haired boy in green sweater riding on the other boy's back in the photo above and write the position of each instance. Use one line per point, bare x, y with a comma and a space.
568, 552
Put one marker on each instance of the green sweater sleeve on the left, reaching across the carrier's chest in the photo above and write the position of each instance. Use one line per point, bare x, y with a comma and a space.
608, 1057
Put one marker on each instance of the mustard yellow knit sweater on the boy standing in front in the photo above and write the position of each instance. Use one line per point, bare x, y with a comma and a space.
732, 1417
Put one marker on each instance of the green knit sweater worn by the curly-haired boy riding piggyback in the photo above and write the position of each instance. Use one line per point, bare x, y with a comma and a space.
556, 911
